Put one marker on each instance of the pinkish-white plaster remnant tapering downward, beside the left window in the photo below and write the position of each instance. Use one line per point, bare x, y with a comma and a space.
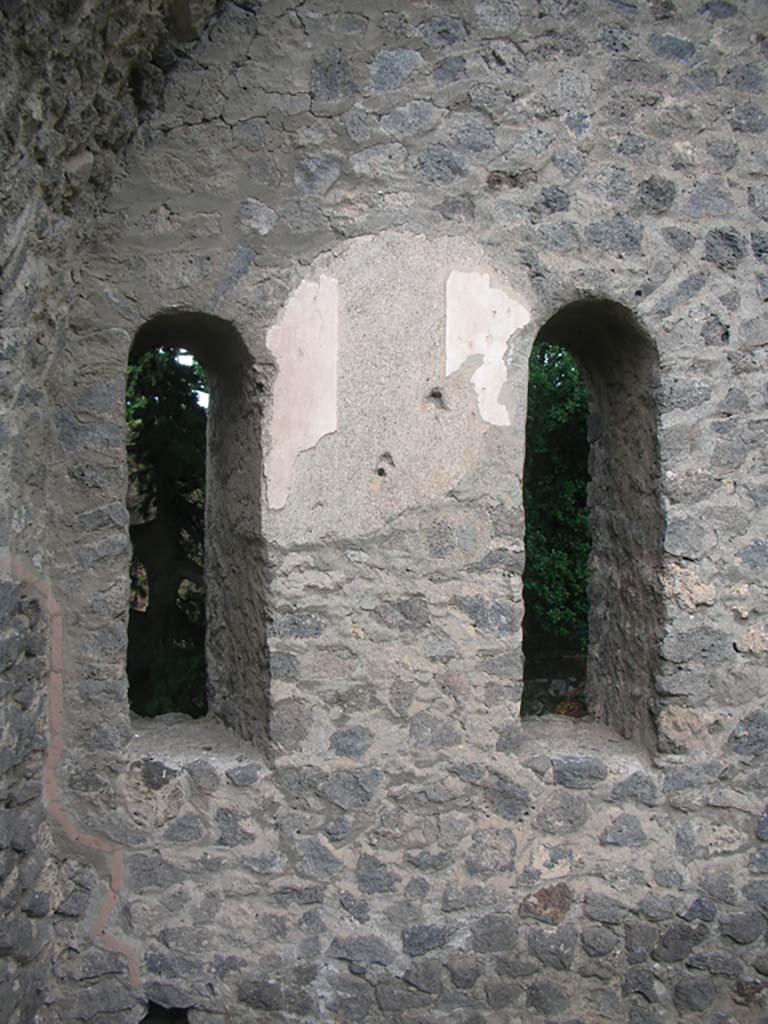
306, 345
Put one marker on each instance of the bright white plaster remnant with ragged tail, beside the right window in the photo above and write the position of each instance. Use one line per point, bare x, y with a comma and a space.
480, 321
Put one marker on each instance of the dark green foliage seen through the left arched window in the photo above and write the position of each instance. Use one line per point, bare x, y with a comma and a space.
167, 462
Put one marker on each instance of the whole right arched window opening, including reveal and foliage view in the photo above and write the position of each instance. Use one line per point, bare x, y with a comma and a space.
615, 510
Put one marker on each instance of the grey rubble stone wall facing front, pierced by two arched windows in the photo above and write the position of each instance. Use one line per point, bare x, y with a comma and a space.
391, 206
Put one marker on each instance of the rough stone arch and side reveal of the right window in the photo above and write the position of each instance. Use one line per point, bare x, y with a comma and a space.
620, 367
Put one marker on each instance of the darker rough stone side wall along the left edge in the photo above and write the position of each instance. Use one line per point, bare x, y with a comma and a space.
77, 78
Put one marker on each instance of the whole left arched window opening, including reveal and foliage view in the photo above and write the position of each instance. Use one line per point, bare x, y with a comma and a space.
205, 577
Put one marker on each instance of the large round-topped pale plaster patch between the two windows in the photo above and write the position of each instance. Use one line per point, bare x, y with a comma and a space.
394, 386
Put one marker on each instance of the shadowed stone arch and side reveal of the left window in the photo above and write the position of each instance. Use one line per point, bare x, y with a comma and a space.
237, 663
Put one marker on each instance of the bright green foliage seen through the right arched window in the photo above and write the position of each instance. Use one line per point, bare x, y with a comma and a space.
558, 535
